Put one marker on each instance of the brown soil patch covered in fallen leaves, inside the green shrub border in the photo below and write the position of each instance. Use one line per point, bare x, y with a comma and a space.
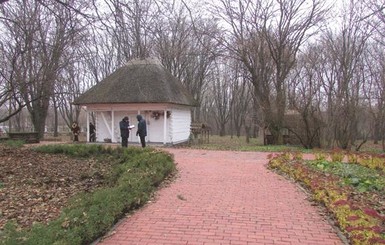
34, 187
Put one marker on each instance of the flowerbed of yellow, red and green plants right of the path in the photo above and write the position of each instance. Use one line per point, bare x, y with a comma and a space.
353, 191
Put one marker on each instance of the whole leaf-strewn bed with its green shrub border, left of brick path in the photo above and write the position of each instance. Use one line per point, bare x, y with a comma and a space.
124, 181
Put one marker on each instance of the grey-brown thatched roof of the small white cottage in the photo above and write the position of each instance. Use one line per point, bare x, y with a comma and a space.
139, 81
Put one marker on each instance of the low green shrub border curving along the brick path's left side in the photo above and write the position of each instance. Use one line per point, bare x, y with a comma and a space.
133, 177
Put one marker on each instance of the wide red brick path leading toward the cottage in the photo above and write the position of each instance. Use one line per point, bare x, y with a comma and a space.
225, 198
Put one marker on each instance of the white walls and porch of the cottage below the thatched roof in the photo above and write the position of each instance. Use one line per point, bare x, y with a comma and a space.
166, 124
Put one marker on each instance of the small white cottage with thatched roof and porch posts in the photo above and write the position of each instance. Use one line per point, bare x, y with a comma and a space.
140, 87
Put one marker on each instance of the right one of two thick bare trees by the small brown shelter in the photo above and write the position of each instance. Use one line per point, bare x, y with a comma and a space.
292, 23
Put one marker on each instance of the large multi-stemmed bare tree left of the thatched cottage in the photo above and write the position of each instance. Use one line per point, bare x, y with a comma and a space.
41, 38
